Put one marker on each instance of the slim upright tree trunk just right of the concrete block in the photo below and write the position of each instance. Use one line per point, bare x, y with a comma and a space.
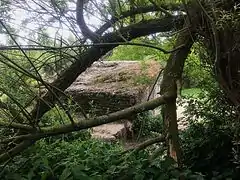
172, 73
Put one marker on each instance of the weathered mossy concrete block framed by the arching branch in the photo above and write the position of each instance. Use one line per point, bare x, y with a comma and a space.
107, 87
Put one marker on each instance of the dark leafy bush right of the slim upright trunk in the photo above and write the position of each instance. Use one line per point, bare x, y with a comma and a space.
208, 141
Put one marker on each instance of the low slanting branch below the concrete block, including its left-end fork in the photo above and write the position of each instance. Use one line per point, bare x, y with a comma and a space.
29, 139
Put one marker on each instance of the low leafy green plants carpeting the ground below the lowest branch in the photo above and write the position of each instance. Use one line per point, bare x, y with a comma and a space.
91, 159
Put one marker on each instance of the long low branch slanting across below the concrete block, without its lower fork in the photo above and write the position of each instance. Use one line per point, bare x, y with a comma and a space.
92, 122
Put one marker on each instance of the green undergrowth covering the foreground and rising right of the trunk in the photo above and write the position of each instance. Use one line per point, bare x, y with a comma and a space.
209, 144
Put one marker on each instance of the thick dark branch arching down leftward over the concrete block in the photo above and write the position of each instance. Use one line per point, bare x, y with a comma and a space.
93, 54
